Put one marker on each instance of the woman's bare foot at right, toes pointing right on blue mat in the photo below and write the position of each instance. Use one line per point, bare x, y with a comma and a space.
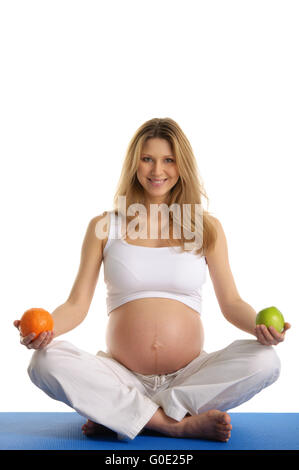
211, 425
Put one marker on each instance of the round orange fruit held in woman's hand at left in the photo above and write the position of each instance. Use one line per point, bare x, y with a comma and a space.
36, 320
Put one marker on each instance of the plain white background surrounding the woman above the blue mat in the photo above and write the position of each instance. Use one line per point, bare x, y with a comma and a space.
77, 79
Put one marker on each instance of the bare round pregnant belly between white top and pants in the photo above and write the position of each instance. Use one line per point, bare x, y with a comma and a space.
154, 335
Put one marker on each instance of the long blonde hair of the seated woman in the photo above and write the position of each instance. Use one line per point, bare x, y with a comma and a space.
188, 189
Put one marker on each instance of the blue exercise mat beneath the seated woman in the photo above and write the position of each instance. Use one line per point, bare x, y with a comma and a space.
62, 431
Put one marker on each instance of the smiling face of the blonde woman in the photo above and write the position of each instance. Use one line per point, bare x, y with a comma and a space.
157, 171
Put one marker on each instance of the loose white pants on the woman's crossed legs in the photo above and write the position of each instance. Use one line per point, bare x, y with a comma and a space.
103, 390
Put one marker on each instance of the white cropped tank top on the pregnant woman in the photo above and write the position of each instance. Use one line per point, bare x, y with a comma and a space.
135, 272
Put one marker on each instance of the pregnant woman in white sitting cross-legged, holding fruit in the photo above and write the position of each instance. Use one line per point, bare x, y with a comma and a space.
154, 373
